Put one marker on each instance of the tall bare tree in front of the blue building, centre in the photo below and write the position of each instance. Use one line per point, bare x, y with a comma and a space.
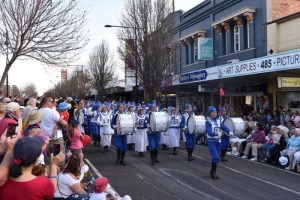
151, 24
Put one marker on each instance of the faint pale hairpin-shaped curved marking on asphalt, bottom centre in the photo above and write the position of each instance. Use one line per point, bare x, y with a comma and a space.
164, 171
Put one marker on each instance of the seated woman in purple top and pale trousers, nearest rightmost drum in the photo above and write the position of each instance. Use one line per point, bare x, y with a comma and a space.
255, 142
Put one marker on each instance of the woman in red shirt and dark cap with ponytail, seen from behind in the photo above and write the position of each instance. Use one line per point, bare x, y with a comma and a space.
22, 184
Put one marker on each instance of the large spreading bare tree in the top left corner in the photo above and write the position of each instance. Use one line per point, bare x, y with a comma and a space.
50, 31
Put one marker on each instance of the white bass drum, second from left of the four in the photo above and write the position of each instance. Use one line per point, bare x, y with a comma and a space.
159, 122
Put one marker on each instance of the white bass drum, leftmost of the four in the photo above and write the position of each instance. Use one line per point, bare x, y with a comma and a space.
125, 124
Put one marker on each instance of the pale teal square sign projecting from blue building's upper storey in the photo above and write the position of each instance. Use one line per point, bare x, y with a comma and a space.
205, 49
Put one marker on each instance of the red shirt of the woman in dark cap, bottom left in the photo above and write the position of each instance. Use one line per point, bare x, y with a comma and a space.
39, 188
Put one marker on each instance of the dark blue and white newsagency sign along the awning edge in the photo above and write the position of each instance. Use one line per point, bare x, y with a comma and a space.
196, 76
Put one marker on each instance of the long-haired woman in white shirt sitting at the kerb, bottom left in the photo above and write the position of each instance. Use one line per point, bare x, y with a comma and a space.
67, 181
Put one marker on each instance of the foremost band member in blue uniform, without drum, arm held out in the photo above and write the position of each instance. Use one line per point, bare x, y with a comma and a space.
214, 134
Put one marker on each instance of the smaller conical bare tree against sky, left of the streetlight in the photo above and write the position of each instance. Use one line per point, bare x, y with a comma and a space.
101, 70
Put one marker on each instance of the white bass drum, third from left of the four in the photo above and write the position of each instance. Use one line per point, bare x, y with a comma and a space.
196, 124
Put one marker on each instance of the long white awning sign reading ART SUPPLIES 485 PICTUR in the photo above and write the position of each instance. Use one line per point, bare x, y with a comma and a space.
284, 61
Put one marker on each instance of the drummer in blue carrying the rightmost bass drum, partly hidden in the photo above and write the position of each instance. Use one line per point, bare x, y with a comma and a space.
225, 137
